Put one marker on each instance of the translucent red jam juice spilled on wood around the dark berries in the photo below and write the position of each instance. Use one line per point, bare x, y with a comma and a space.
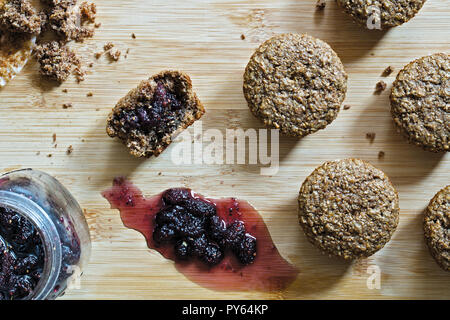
269, 271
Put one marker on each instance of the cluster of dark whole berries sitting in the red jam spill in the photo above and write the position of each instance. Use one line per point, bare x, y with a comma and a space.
194, 228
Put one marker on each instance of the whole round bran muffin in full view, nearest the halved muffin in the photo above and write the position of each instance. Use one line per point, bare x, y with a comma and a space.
295, 83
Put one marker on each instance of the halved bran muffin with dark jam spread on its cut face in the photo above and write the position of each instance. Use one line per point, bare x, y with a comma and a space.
150, 116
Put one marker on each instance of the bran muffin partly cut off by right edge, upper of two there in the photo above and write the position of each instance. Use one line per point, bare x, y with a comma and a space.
420, 102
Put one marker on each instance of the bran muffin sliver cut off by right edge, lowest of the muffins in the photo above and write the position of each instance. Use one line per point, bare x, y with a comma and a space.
437, 228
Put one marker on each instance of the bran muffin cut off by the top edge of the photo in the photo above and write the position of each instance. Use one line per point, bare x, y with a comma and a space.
392, 12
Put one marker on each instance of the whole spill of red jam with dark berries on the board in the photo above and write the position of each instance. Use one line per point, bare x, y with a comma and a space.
220, 244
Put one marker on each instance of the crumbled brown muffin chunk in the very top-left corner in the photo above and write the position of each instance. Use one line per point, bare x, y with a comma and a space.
19, 16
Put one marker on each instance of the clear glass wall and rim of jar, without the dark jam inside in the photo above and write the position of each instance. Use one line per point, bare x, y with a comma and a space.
58, 220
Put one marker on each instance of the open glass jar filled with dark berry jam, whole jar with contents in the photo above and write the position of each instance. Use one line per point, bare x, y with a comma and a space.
44, 237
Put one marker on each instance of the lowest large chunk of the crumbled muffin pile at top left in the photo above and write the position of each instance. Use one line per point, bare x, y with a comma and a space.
56, 60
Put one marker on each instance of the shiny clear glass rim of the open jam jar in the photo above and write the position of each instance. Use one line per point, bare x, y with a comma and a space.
49, 235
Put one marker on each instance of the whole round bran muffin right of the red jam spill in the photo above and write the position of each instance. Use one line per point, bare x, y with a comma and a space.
348, 208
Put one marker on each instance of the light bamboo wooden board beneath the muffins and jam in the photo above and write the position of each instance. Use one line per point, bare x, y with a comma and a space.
203, 38
